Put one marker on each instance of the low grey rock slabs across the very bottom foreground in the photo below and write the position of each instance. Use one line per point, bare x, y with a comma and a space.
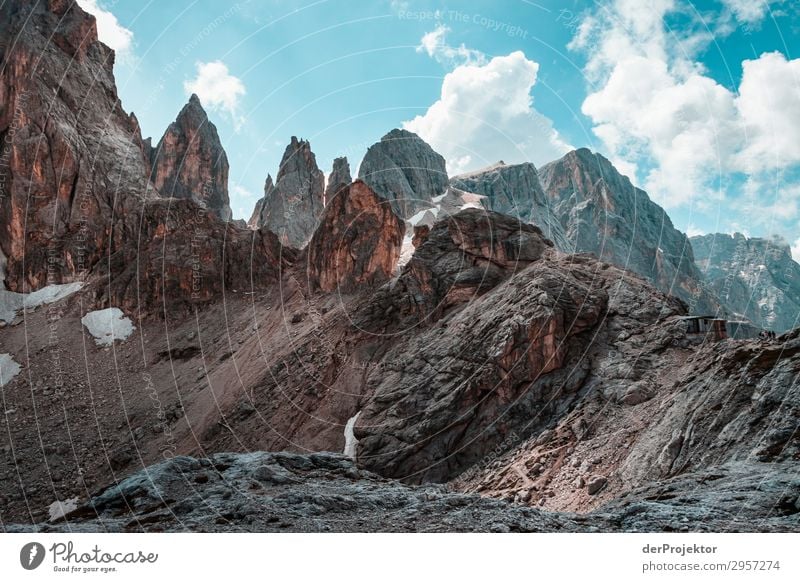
323, 492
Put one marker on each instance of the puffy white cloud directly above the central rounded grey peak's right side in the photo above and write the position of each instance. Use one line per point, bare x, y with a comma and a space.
485, 113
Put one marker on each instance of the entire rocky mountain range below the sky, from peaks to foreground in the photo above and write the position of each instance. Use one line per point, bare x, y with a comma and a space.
503, 350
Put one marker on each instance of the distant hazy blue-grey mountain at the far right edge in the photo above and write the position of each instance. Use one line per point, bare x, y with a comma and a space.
755, 278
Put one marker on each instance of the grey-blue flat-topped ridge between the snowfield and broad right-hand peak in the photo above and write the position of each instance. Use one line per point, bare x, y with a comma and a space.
515, 190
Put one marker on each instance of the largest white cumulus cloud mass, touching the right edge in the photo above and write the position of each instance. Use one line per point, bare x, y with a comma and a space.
656, 108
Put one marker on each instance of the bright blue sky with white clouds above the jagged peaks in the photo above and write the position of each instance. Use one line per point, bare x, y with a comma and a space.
697, 102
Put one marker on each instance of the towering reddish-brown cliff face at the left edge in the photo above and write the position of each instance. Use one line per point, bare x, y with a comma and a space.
70, 157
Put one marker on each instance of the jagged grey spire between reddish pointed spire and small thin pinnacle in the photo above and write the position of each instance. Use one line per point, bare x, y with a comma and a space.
293, 205
